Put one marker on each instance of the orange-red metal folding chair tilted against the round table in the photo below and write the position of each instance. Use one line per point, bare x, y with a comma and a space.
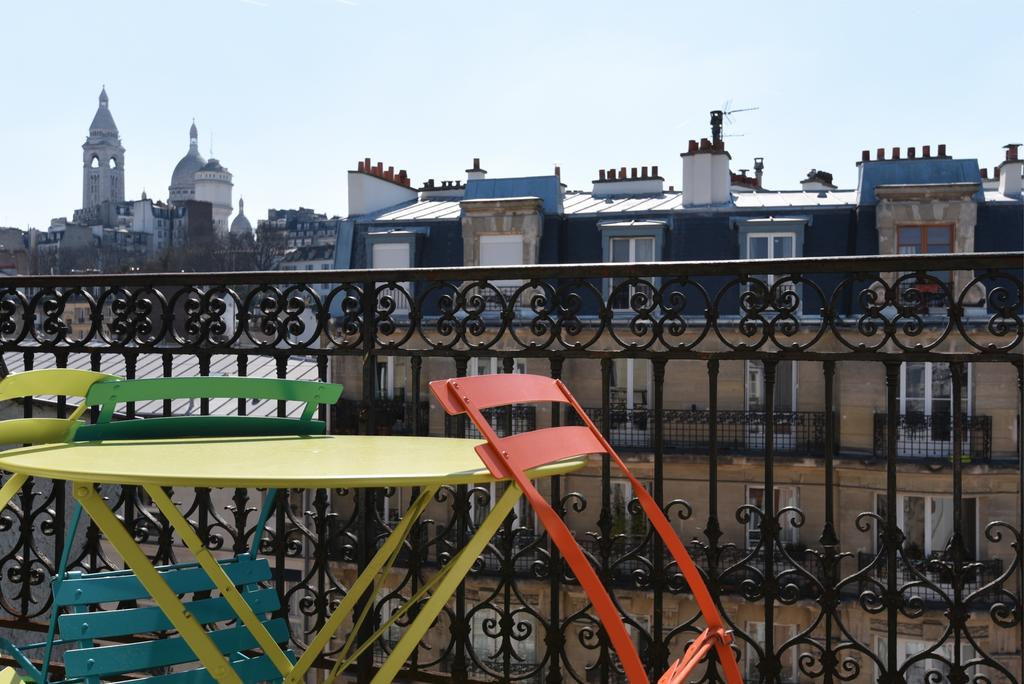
511, 457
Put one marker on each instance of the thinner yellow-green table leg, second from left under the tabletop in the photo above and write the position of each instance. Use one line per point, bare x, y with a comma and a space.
221, 580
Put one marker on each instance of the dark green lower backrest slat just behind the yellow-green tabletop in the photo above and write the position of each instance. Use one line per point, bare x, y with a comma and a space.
197, 426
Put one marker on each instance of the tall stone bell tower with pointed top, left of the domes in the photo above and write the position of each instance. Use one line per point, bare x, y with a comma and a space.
103, 160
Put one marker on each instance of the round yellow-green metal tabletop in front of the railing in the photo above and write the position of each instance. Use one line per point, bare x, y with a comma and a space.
303, 462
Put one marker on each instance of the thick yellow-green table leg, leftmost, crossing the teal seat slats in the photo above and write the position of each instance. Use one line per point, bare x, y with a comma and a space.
188, 627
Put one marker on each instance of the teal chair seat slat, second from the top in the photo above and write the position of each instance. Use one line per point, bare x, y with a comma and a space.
107, 624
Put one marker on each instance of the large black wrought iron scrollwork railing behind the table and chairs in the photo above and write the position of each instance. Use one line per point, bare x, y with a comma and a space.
849, 319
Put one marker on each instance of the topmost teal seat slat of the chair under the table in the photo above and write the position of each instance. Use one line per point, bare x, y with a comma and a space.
88, 589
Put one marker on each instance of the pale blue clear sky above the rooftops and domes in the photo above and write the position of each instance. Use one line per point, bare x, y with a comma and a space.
290, 95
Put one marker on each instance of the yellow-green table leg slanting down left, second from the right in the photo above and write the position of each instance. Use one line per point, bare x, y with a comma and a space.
380, 563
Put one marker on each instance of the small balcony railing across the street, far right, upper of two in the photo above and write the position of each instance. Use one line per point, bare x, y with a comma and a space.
931, 438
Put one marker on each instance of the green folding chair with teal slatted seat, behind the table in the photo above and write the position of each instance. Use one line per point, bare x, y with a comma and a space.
76, 591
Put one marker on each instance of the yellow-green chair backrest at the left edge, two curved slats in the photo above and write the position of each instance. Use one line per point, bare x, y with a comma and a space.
62, 382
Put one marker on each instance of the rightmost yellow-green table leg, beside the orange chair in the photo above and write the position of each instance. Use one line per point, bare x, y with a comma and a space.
456, 572
